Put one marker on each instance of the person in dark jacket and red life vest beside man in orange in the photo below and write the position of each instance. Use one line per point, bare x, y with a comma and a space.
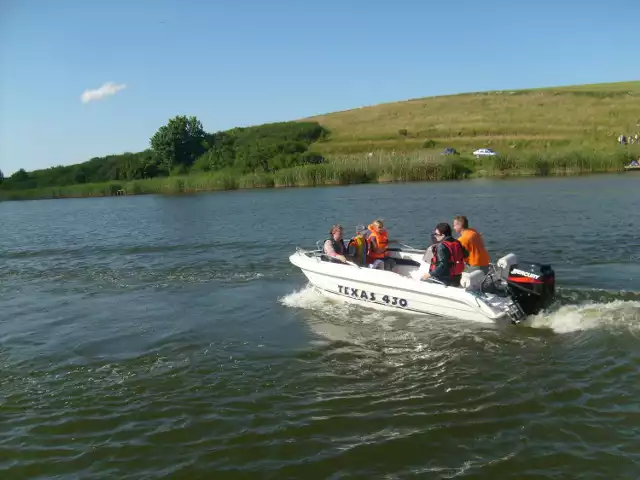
447, 263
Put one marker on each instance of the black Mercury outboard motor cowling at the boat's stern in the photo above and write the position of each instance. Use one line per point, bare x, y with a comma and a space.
532, 286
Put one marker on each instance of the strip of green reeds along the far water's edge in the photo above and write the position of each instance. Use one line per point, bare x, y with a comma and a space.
346, 169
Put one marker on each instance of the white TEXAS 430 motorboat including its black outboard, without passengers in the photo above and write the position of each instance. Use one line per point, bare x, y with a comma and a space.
509, 293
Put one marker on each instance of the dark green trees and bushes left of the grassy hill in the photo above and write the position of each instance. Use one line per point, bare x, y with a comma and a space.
181, 147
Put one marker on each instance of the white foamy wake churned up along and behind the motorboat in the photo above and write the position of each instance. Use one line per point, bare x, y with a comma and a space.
584, 314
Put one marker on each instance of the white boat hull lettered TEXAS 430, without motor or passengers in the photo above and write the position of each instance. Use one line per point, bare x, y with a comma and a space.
387, 290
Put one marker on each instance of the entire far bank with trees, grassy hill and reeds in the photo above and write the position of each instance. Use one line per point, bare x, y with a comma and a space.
565, 131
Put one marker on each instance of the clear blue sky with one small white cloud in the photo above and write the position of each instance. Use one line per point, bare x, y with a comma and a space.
82, 79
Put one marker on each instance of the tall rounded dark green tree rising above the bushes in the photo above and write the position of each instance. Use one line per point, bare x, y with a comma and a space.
179, 142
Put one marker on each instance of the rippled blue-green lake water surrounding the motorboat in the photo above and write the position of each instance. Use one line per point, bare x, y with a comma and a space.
153, 337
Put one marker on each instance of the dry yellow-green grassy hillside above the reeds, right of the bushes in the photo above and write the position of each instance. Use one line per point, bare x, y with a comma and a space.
560, 118
